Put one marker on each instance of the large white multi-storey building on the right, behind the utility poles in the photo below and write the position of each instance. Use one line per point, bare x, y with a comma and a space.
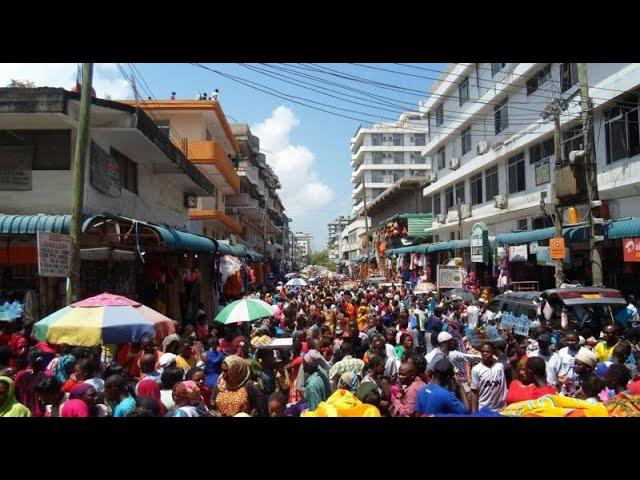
489, 146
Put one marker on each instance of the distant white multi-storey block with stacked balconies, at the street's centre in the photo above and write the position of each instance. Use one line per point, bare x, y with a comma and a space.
383, 154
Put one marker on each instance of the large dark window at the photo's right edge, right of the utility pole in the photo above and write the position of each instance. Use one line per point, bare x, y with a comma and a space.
621, 132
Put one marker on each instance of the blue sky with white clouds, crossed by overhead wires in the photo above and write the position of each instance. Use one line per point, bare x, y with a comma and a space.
308, 149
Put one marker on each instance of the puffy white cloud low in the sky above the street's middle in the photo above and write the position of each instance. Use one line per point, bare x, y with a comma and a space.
303, 193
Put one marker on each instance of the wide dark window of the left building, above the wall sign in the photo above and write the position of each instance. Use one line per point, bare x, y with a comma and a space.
51, 148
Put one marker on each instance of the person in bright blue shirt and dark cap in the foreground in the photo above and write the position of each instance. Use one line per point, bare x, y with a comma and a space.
434, 398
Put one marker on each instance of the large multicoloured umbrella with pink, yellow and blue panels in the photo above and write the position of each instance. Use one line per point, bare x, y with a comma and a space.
103, 319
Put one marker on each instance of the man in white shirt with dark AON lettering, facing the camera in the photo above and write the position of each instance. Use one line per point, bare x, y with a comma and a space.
488, 382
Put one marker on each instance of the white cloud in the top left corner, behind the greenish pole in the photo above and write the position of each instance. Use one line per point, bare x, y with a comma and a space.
106, 77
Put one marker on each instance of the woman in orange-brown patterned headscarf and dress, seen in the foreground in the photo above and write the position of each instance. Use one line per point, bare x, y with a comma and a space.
235, 392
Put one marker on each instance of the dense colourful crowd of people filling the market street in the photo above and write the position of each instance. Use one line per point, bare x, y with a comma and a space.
380, 350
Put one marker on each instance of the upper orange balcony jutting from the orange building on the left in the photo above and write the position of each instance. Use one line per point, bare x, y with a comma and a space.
212, 160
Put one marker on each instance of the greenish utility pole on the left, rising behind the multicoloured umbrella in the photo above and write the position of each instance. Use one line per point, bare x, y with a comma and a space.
79, 164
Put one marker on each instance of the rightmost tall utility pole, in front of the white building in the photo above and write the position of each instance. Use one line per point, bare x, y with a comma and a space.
591, 172
